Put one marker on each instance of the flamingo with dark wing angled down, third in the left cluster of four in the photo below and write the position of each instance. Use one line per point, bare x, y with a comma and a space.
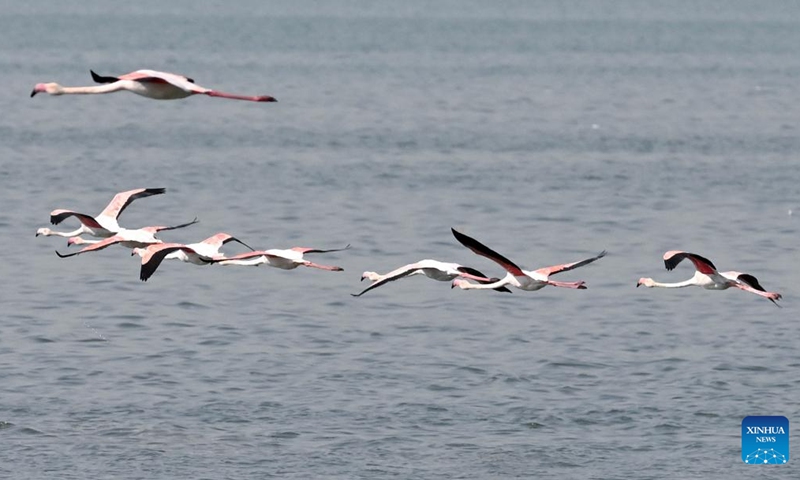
201, 253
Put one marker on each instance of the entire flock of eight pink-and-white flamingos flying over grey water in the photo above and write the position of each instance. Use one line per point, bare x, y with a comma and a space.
153, 251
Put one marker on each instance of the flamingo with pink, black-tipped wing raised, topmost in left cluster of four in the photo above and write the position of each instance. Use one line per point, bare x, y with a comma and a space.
103, 225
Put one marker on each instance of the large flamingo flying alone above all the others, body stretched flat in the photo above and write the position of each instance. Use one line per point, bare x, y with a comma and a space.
147, 83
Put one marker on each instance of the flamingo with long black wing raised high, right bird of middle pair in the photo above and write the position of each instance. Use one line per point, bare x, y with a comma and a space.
517, 277
